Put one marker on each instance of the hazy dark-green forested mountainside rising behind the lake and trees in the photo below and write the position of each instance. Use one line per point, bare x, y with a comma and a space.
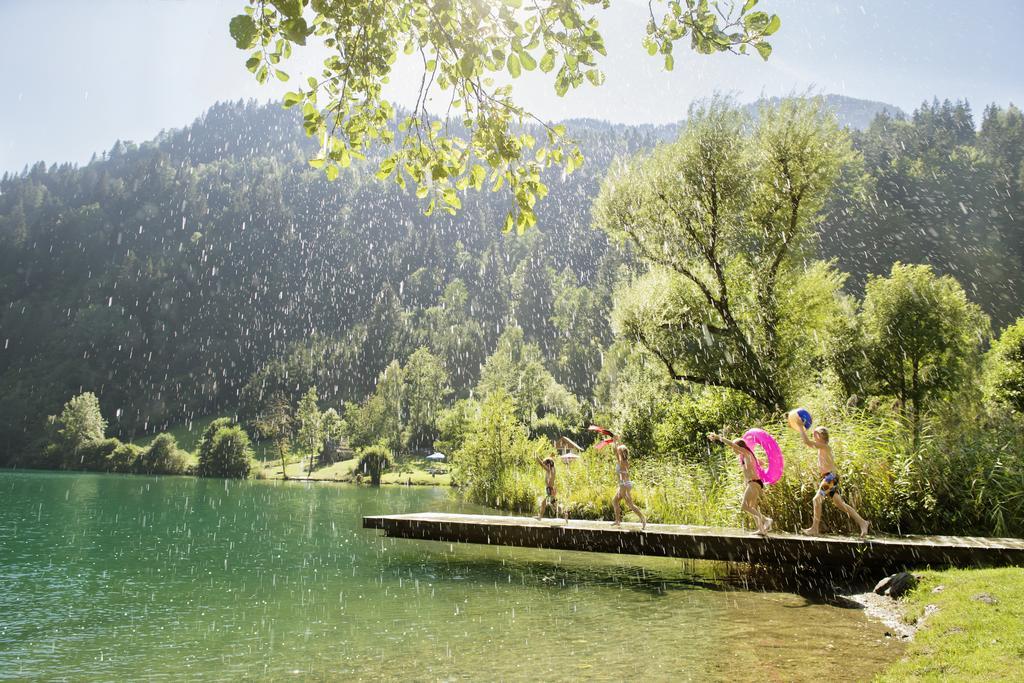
211, 269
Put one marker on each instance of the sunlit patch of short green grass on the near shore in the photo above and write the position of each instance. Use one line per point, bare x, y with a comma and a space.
965, 638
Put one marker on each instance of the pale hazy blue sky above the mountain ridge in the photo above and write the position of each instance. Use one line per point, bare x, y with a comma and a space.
81, 75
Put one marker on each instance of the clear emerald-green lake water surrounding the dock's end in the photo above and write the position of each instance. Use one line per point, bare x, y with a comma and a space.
134, 578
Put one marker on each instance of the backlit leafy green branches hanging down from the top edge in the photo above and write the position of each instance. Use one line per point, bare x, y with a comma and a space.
468, 51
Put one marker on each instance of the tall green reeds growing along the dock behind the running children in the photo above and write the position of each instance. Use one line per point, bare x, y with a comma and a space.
965, 476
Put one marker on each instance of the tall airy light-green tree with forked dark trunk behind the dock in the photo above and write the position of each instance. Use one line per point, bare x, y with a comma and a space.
726, 220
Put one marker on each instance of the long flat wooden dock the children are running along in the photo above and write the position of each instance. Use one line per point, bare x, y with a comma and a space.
732, 545
